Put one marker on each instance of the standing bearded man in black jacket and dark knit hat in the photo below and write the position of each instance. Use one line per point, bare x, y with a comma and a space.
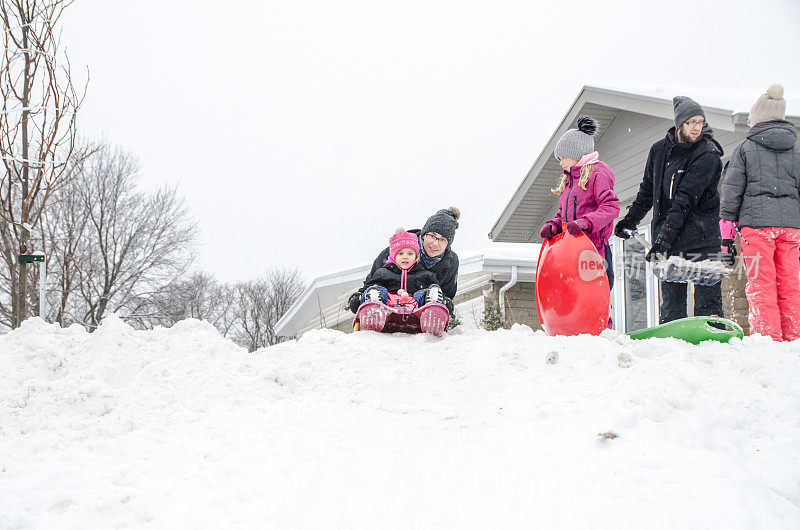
680, 184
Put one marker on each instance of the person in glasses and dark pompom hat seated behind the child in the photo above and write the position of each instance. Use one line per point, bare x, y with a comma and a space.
437, 256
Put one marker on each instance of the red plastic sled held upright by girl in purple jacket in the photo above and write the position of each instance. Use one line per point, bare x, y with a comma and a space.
572, 292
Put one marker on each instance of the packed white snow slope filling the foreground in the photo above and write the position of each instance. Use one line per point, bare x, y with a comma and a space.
180, 428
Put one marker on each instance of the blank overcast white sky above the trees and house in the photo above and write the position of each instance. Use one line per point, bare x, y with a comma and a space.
302, 133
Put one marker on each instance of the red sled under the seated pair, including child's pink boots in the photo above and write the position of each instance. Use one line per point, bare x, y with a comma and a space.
402, 315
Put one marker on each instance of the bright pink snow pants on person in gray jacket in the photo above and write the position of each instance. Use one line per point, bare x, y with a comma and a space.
772, 261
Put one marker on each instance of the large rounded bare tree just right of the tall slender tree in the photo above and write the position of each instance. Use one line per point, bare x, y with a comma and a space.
135, 242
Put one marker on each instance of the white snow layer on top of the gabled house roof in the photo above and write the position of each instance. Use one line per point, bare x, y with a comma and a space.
736, 100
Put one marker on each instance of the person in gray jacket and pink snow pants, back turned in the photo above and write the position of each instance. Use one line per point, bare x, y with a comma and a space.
761, 192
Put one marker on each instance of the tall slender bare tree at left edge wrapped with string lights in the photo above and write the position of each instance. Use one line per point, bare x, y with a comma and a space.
37, 129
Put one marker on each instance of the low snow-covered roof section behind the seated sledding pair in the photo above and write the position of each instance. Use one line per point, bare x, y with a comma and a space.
322, 302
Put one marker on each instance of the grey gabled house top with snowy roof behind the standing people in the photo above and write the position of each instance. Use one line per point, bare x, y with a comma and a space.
650, 110
